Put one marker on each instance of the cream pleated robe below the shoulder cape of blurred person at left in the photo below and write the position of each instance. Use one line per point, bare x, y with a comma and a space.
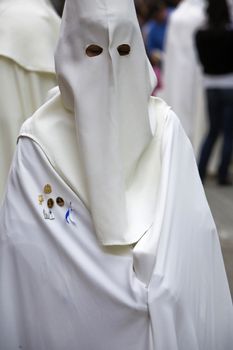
21, 93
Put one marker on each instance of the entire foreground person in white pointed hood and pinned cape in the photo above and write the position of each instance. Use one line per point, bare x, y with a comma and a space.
107, 242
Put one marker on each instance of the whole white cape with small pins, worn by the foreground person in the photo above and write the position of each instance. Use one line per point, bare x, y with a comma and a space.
60, 289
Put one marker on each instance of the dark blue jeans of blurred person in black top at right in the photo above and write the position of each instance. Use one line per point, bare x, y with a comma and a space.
220, 111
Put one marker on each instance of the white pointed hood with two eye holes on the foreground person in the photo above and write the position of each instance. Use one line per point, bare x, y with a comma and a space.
109, 96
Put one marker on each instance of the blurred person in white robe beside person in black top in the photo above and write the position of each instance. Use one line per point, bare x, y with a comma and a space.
183, 88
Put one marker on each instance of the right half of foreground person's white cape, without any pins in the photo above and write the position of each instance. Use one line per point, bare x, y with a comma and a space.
189, 298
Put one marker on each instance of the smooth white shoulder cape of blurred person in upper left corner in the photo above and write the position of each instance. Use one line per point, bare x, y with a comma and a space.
28, 33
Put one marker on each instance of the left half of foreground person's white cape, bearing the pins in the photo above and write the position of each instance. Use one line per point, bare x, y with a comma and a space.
59, 289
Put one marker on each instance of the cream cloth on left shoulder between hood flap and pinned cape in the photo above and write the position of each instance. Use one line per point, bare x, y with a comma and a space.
53, 129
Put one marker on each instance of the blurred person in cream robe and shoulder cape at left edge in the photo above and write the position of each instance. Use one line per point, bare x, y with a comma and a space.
28, 35
